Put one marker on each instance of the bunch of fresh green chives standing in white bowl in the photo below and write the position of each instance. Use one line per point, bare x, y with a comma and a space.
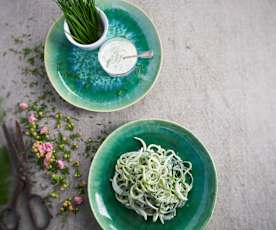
83, 19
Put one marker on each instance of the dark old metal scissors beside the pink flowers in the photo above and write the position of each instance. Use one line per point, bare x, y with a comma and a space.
37, 210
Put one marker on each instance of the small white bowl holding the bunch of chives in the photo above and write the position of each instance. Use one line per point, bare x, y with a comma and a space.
94, 45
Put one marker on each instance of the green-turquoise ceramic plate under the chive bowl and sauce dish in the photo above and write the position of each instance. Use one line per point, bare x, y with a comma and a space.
77, 75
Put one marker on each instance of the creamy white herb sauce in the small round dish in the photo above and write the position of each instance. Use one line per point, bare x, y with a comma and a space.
112, 53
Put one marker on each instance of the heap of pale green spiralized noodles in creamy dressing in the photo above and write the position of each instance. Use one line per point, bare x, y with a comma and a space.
152, 181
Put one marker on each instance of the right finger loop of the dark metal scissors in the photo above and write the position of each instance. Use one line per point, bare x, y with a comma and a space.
39, 212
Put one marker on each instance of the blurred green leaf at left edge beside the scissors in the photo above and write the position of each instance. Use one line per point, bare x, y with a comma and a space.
6, 177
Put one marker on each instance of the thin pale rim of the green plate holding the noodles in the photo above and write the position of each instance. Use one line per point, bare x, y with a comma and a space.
89, 188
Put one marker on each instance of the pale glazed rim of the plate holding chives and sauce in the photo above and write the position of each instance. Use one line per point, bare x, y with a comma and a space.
122, 107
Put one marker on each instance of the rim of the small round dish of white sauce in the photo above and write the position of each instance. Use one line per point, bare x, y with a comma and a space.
107, 43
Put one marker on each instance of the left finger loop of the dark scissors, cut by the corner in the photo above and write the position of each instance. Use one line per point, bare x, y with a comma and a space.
9, 219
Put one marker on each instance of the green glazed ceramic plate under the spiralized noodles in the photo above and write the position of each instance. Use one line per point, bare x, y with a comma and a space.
110, 214
